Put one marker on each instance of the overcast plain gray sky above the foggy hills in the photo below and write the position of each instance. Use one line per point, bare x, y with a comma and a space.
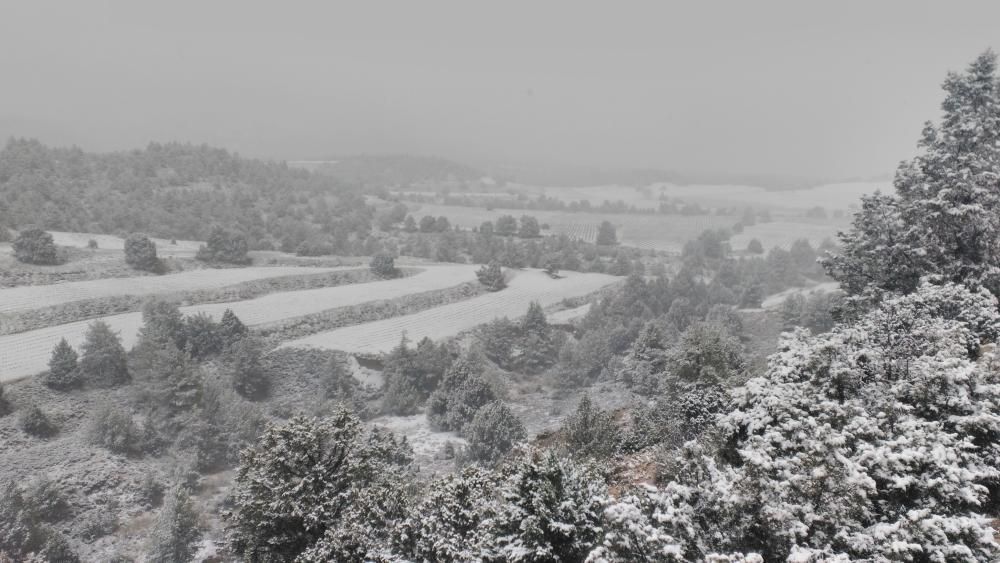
787, 87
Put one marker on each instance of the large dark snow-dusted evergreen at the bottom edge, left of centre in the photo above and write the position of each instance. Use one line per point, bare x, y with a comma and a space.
308, 477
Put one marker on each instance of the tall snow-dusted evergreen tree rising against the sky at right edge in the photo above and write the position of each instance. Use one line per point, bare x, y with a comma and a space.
943, 219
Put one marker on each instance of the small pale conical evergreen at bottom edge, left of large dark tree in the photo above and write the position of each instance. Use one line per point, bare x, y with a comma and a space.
175, 531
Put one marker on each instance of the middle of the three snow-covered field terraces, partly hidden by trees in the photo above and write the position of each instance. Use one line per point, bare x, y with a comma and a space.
27, 353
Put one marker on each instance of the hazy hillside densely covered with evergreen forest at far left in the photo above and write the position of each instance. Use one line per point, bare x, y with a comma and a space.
149, 190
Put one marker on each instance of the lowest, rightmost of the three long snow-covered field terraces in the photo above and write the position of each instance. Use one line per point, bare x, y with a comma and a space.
453, 318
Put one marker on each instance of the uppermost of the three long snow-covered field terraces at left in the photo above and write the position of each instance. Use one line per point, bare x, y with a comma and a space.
24, 298
